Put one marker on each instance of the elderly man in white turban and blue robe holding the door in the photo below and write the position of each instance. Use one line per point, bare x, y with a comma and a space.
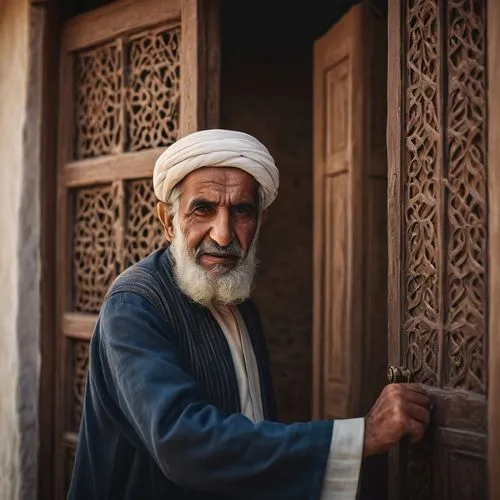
179, 403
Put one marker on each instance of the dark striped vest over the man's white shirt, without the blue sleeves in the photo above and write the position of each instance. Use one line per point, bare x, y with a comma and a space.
197, 334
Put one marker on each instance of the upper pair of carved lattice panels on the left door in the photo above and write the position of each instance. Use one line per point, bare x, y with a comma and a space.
150, 79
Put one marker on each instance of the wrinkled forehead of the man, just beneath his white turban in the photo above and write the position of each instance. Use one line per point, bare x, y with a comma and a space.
220, 184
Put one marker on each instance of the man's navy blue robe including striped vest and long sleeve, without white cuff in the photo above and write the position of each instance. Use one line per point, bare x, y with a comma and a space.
161, 416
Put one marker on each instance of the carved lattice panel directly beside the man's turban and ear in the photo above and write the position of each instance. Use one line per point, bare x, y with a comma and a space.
144, 232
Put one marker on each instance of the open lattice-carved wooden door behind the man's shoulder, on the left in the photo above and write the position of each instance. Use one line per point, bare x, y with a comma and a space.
134, 76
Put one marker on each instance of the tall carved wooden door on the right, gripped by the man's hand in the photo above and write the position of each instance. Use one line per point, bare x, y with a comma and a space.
438, 239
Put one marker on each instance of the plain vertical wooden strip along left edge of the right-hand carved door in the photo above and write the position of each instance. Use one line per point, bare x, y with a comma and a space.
394, 201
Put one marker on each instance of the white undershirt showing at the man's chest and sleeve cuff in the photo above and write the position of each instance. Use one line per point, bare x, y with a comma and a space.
346, 447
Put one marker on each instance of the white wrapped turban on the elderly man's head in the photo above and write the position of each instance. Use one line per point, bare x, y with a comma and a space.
216, 148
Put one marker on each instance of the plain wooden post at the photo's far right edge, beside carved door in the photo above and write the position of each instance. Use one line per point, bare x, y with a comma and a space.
493, 51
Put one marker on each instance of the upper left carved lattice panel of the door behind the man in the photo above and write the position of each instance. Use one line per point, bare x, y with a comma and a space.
98, 101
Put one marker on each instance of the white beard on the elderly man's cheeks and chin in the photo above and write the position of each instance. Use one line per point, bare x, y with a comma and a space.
215, 287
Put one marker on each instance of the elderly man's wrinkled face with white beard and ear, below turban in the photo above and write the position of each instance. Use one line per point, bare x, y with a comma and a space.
213, 233
